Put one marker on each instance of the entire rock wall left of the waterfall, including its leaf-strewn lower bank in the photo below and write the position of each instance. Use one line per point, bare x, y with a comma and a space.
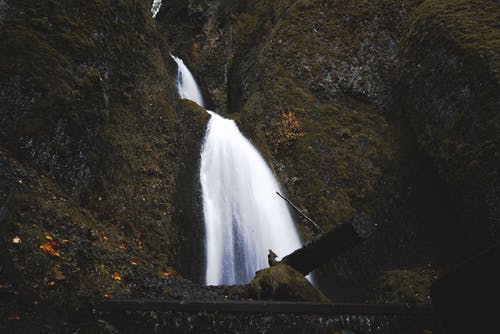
94, 151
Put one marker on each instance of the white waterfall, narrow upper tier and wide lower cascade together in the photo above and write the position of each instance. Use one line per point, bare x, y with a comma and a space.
243, 215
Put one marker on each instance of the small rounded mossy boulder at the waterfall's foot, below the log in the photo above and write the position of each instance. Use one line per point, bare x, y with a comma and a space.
281, 282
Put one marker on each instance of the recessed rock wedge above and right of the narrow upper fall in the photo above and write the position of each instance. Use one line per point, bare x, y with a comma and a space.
199, 32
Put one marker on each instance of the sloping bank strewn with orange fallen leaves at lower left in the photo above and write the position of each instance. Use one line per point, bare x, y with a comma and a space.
58, 257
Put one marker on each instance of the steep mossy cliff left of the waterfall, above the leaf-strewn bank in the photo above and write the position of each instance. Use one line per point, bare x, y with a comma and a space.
87, 100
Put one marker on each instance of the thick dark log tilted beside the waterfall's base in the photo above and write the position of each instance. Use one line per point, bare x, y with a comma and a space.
326, 246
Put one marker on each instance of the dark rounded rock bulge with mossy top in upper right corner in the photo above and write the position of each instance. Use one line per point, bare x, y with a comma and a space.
449, 76
